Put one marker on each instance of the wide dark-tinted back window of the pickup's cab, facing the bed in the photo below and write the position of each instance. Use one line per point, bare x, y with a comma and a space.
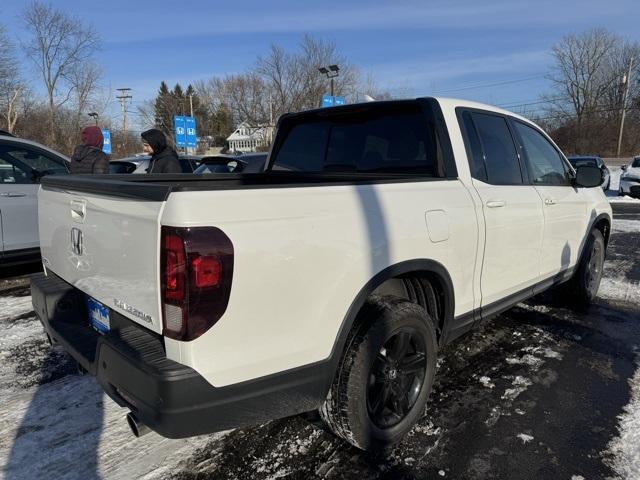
399, 141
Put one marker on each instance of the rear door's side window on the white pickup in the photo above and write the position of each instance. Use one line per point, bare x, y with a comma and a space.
500, 155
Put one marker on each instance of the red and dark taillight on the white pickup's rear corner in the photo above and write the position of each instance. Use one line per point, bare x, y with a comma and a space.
196, 265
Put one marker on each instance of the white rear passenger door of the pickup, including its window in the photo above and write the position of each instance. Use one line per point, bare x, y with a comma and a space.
511, 207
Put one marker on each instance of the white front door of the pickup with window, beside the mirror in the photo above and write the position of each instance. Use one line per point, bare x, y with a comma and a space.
564, 206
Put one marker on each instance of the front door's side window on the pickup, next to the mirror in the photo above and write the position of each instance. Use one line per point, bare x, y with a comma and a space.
544, 161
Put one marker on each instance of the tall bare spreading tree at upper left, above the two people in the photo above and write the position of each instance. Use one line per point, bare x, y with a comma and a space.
60, 46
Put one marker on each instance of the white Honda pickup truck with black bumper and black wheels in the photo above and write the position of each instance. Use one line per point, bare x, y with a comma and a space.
377, 233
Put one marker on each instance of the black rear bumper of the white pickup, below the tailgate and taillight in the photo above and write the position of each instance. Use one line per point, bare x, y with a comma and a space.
130, 364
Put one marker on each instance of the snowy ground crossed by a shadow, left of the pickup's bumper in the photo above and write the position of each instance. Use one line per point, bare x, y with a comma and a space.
66, 418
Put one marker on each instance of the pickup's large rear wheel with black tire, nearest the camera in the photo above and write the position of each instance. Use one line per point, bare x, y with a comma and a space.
385, 375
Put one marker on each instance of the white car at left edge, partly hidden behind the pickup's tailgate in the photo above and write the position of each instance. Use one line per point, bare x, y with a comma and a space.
22, 164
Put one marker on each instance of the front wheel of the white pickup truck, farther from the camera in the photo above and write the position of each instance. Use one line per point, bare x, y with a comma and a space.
586, 280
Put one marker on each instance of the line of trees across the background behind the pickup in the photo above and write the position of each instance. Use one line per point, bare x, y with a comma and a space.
590, 81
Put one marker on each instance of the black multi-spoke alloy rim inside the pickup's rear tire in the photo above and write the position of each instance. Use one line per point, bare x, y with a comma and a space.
396, 378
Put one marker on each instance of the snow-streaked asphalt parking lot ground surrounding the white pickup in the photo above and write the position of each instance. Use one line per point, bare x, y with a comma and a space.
539, 392
